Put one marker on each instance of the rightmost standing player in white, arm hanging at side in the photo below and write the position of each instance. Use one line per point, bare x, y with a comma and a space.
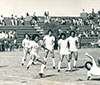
73, 45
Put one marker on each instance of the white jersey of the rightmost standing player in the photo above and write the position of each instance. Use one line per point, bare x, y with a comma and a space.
72, 41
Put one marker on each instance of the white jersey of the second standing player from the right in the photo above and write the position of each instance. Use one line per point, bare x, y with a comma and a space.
63, 47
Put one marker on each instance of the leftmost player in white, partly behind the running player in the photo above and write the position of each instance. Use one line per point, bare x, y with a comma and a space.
25, 44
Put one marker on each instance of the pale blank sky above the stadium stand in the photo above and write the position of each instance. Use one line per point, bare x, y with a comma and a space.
55, 7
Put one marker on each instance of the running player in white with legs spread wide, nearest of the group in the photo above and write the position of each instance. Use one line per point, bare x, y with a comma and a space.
35, 46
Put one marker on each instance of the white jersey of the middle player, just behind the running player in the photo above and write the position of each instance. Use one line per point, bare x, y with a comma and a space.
49, 42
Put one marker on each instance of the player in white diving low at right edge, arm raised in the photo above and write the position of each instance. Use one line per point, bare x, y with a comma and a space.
92, 67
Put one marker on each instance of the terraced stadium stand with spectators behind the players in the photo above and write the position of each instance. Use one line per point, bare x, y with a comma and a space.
79, 25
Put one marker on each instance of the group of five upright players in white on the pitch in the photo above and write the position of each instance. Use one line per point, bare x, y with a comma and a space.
67, 46
